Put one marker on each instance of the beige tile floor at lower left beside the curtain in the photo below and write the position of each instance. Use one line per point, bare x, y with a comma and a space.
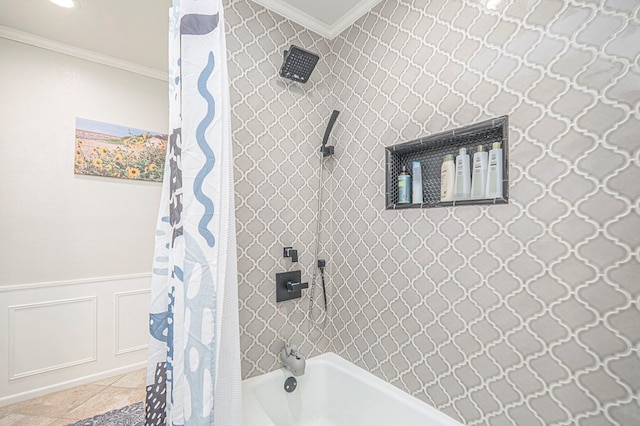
69, 406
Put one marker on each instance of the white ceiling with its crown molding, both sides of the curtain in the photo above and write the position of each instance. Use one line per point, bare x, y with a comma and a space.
135, 31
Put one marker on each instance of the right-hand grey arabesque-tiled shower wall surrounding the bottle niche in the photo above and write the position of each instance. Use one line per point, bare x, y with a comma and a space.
520, 314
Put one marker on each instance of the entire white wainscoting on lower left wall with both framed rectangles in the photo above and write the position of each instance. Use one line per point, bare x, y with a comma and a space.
58, 335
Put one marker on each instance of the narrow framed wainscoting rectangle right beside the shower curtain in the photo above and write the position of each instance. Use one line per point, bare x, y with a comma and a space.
132, 323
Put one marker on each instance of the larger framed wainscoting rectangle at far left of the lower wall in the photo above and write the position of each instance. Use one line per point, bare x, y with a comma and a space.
51, 335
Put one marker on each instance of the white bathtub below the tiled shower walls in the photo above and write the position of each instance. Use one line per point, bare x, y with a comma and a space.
333, 392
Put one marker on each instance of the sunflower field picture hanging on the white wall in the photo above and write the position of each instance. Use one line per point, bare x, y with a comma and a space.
110, 150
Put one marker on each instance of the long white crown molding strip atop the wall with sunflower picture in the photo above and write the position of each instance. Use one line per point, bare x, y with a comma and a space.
77, 52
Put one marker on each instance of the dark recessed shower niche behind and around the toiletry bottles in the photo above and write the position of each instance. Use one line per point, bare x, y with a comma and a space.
430, 150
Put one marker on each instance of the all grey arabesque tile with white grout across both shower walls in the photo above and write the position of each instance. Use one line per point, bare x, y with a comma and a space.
524, 313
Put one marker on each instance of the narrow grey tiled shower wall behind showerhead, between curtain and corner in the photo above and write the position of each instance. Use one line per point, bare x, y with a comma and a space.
277, 133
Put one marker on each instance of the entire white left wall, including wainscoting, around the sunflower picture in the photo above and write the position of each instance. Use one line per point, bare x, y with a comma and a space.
76, 251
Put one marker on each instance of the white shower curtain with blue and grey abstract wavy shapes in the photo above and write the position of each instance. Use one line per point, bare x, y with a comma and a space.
193, 374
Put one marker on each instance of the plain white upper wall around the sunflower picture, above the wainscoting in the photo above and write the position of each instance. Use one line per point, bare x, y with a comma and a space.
56, 225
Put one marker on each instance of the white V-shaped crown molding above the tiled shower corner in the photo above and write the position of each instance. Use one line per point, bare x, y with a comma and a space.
314, 24
